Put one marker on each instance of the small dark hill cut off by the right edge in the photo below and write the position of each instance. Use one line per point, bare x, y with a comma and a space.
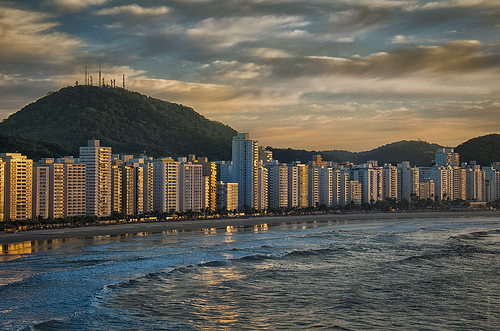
484, 150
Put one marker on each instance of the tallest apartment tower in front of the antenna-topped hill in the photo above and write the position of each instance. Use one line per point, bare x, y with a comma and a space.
97, 160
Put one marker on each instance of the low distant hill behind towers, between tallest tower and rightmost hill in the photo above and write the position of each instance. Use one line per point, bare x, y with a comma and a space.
419, 153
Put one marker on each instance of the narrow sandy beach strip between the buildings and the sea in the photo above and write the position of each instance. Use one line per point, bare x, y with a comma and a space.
141, 228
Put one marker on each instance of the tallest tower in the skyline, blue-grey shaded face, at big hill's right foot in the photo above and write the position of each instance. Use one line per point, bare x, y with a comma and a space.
245, 155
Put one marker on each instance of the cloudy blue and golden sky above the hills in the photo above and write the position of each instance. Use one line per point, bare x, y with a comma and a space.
305, 74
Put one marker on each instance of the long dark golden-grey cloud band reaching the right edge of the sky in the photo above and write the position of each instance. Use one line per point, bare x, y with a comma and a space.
457, 57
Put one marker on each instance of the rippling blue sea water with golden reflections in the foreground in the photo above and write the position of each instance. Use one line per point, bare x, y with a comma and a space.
408, 274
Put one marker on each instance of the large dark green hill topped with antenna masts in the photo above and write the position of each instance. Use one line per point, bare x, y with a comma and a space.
129, 122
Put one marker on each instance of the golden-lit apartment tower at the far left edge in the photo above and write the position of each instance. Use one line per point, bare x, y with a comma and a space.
18, 186
